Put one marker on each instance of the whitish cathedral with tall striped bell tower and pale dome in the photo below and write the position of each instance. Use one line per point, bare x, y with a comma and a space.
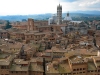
57, 19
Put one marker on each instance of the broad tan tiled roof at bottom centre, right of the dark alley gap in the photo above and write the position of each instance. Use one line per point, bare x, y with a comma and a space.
57, 67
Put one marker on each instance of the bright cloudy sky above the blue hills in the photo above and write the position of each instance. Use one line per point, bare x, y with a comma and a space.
22, 7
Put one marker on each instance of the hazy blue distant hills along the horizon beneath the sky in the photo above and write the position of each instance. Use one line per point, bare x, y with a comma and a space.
48, 15
